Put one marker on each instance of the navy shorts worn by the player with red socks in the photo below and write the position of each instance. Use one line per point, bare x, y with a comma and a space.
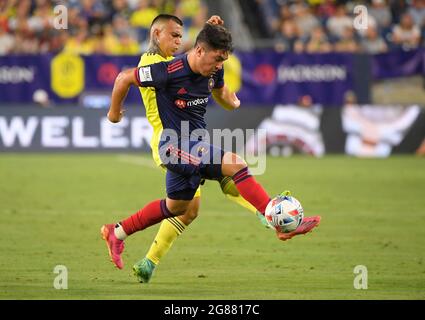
187, 163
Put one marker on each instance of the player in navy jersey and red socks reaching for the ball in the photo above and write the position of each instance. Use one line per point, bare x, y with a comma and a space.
183, 88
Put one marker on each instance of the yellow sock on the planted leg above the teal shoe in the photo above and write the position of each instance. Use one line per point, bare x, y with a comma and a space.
169, 230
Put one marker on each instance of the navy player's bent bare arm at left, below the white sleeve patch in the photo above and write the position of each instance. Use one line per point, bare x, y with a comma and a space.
121, 86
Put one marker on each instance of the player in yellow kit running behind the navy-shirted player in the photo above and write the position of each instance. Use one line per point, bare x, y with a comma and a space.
165, 40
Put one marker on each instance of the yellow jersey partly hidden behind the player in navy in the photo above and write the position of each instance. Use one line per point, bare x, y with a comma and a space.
149, 100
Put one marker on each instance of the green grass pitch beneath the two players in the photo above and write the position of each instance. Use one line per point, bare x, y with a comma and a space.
373, 214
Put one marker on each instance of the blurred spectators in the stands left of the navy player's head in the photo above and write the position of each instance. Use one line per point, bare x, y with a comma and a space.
114, 27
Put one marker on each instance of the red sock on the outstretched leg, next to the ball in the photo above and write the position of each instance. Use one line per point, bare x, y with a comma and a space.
251, 190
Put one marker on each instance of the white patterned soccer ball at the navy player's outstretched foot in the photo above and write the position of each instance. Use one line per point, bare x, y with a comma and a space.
284, 213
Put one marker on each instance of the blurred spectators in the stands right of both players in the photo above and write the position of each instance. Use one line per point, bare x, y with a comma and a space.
327, 25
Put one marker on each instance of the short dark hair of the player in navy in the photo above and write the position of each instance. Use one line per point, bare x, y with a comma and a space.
216, 37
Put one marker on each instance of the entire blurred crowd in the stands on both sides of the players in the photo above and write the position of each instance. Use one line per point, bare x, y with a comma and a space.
121, 27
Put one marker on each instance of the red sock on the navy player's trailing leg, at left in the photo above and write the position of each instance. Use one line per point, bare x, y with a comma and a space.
149, 215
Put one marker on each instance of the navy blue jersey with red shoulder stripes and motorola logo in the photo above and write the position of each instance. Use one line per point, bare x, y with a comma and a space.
181, 94
